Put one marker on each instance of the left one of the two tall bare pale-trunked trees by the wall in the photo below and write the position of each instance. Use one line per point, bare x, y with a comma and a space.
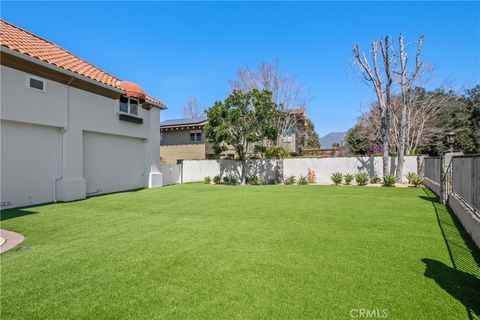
380, 78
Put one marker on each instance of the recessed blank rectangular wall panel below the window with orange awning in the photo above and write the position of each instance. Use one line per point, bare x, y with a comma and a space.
112, 163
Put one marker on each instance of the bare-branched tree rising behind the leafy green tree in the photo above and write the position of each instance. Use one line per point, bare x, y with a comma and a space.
287, 92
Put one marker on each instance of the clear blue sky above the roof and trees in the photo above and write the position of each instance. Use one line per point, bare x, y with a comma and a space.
176, 49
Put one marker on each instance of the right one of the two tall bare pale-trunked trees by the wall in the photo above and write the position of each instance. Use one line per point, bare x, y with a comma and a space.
406, 84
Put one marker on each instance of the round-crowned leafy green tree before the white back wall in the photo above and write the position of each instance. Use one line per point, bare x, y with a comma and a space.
244, 121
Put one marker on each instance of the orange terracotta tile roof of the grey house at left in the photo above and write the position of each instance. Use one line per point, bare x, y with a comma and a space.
17, 39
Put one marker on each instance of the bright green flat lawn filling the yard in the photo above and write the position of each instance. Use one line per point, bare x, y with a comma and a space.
224, 252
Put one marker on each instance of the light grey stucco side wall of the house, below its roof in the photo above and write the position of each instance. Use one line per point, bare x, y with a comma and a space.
66, 143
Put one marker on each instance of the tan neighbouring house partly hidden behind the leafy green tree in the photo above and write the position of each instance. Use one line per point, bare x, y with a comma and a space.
184, 139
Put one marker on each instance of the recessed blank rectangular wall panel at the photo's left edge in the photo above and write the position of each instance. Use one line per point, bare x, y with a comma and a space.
29, 163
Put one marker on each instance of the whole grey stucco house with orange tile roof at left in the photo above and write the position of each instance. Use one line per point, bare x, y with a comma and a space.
68, 128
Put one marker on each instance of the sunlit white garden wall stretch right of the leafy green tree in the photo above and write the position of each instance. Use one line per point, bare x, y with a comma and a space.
324, 167
